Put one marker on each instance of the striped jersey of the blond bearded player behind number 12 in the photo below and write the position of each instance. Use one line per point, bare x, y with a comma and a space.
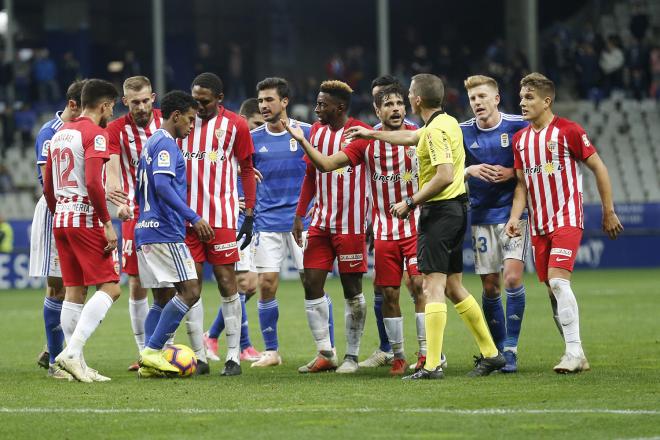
127, 139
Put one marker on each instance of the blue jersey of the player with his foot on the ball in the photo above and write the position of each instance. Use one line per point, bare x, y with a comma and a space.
158, 222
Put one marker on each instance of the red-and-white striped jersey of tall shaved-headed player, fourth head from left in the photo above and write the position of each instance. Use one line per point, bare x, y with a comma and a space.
212, 151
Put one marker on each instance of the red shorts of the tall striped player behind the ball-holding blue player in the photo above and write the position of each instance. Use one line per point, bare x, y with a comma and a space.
221, 250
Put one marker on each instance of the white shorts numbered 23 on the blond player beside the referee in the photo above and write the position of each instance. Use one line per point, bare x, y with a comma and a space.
492, 246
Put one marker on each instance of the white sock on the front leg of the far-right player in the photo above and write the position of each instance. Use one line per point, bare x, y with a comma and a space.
567, 311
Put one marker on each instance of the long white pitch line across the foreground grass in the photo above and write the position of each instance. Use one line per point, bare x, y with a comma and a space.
483, 411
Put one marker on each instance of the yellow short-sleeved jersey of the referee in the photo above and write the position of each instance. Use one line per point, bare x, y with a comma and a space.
441, 142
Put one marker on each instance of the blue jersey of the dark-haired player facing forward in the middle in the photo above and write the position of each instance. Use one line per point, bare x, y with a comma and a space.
280, 159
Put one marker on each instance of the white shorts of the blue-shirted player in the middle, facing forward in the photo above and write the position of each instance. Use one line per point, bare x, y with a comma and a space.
272, 248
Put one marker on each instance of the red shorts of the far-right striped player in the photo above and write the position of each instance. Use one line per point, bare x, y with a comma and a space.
557, 249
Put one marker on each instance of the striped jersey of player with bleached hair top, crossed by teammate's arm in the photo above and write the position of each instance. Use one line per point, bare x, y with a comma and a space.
340, 201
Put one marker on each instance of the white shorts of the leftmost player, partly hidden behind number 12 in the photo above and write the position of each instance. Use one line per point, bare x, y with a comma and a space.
44, 261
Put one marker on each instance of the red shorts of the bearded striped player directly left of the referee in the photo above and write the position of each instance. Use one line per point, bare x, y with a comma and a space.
391, 257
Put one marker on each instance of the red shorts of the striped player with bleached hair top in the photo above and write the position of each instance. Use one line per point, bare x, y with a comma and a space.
323, 247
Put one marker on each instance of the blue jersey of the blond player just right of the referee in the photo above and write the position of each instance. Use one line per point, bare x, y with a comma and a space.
491, 202
